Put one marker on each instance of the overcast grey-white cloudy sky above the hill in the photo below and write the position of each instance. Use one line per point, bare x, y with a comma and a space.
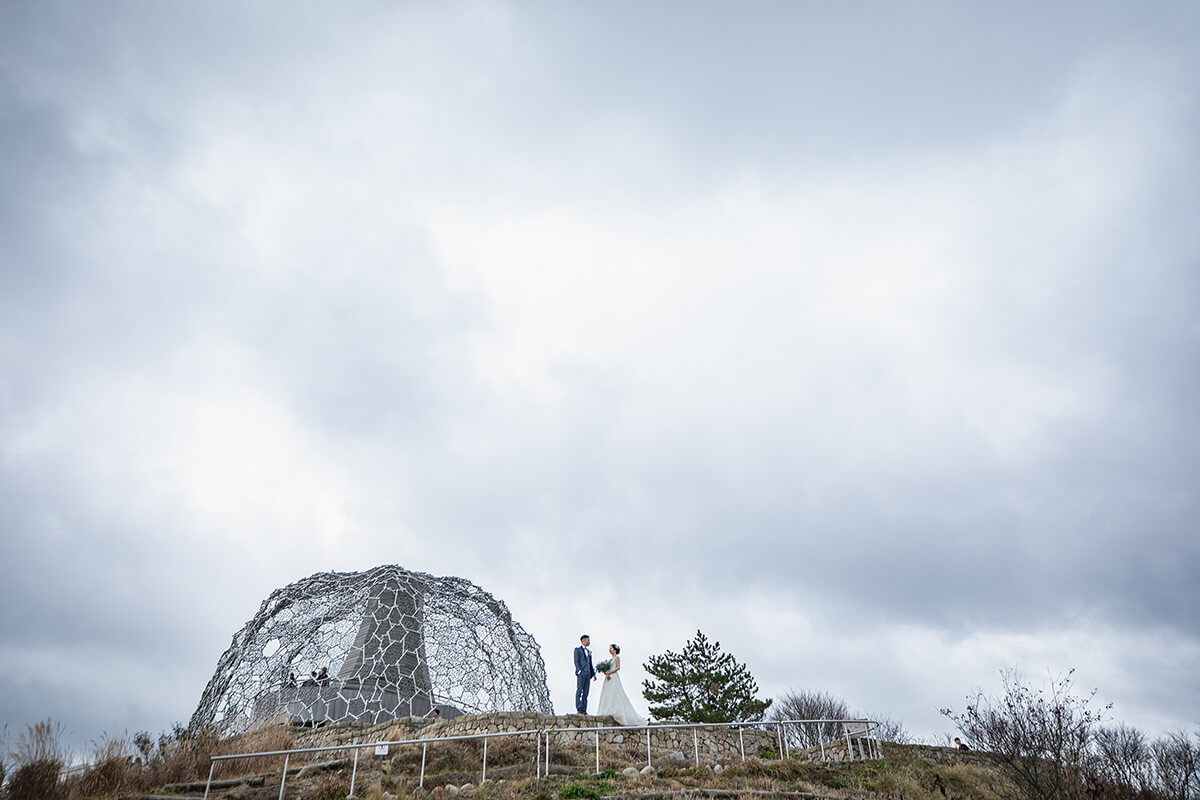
865, 338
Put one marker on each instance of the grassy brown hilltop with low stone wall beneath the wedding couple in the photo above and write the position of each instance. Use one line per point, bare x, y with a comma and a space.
178, 769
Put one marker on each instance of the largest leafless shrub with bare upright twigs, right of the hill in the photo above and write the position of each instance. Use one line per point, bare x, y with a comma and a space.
1041, 736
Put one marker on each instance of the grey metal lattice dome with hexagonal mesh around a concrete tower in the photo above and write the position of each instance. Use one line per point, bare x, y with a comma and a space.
371, 647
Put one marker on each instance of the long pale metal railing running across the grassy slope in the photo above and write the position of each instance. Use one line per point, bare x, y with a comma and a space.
854, 731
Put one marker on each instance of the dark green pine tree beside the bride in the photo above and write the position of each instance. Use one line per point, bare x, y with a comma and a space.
703, 685
